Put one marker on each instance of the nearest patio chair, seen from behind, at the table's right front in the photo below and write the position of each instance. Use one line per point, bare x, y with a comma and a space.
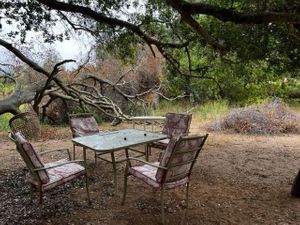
172, 171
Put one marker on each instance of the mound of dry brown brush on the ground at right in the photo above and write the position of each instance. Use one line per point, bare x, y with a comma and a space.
269, 118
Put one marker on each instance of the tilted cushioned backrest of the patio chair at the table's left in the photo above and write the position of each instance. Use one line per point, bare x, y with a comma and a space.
30, 157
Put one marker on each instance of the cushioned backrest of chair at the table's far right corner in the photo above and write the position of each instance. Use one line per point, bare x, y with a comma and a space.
177, 124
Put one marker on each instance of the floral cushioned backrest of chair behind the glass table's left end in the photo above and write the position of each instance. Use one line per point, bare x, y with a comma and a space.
83, 124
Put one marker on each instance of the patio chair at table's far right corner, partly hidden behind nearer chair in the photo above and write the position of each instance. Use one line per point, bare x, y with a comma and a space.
175, 125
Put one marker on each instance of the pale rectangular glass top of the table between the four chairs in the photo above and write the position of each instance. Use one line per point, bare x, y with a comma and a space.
117, 139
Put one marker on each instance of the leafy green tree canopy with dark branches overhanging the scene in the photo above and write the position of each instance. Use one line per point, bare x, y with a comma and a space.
206, 43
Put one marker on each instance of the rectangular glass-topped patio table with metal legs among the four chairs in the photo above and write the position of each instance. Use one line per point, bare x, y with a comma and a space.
109, 142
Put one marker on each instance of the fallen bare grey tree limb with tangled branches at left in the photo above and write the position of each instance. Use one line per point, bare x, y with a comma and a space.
77, 91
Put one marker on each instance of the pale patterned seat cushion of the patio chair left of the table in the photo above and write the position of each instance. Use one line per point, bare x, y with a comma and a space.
61, 174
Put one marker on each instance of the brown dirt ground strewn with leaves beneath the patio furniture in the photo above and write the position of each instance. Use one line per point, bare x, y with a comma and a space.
238, 179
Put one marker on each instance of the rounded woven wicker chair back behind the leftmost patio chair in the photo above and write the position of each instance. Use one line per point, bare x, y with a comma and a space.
27, 123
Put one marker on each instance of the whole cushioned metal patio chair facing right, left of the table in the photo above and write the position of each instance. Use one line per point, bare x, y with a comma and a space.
44, 177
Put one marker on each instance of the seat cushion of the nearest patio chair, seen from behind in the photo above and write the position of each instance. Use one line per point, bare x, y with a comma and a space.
147, 174
